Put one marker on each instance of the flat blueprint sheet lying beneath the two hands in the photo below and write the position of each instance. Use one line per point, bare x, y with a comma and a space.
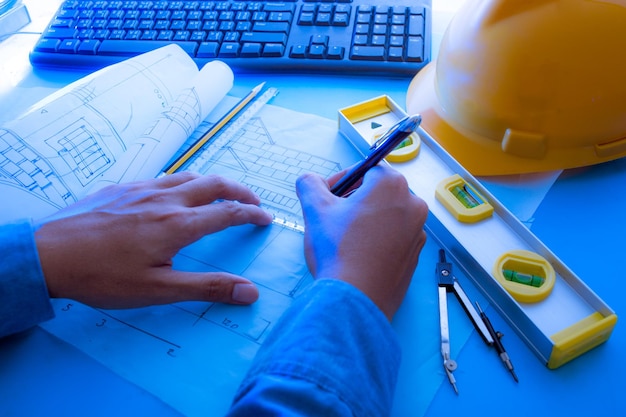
193, 355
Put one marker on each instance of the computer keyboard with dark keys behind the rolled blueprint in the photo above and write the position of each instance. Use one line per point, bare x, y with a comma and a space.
390, 37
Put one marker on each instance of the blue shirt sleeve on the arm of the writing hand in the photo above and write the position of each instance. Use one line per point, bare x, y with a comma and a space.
333, 353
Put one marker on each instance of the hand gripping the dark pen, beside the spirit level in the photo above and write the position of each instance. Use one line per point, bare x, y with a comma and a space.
371, 239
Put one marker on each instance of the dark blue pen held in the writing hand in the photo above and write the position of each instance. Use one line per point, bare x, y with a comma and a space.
379, 150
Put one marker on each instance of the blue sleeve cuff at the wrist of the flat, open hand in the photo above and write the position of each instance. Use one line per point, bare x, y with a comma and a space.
24, 299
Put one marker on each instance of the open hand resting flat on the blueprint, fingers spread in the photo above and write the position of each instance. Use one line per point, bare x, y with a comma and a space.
114, 248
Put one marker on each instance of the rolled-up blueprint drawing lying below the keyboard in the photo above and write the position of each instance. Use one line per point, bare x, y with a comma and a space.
118, 124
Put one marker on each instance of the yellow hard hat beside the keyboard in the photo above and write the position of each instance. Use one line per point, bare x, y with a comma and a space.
528, 85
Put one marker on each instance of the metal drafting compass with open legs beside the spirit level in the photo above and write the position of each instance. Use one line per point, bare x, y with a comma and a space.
448, 283
